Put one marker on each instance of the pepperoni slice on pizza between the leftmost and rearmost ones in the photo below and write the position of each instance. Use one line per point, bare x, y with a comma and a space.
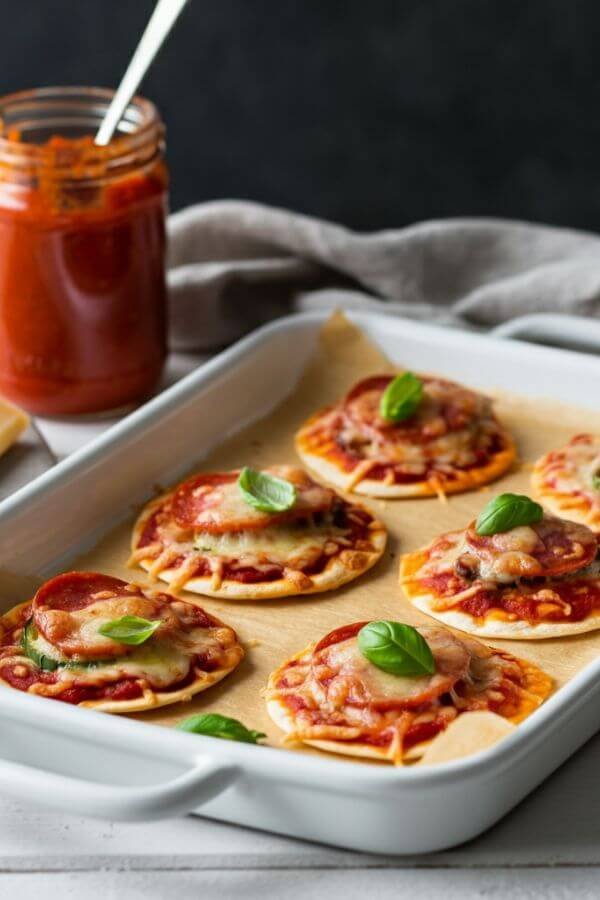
213, 503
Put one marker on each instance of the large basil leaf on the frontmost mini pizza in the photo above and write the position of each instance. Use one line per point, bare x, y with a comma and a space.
396, 648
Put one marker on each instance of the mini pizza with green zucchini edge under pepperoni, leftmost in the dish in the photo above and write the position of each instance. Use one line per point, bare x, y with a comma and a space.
162, 650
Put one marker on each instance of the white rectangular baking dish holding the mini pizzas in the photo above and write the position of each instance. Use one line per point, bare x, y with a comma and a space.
89, 763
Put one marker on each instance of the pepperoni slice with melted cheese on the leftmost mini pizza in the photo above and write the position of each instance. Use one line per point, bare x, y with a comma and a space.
58, 613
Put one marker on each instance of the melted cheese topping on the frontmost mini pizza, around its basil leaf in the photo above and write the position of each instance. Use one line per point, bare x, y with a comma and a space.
348, 698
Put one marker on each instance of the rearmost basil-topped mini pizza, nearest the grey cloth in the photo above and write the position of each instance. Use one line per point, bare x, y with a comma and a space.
441, 439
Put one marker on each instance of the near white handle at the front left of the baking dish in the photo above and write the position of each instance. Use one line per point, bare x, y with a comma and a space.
178, 796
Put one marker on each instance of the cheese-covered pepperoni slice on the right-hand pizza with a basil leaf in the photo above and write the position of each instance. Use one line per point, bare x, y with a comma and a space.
549, 548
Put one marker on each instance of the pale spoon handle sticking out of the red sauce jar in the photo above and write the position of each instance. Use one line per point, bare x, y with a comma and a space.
161, 21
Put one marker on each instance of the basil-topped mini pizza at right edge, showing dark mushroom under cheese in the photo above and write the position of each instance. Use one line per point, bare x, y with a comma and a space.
535, 580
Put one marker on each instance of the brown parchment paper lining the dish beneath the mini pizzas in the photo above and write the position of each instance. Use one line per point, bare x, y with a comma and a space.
273, 630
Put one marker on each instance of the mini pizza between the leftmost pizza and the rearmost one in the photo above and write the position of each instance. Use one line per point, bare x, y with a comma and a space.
207, 536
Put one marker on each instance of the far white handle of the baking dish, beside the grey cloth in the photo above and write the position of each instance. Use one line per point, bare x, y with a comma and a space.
576, 332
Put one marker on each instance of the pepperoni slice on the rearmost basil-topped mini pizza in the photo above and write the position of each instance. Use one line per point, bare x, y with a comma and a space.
446, 407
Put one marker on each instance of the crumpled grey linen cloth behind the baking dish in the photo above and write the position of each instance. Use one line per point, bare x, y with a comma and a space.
233, 265
